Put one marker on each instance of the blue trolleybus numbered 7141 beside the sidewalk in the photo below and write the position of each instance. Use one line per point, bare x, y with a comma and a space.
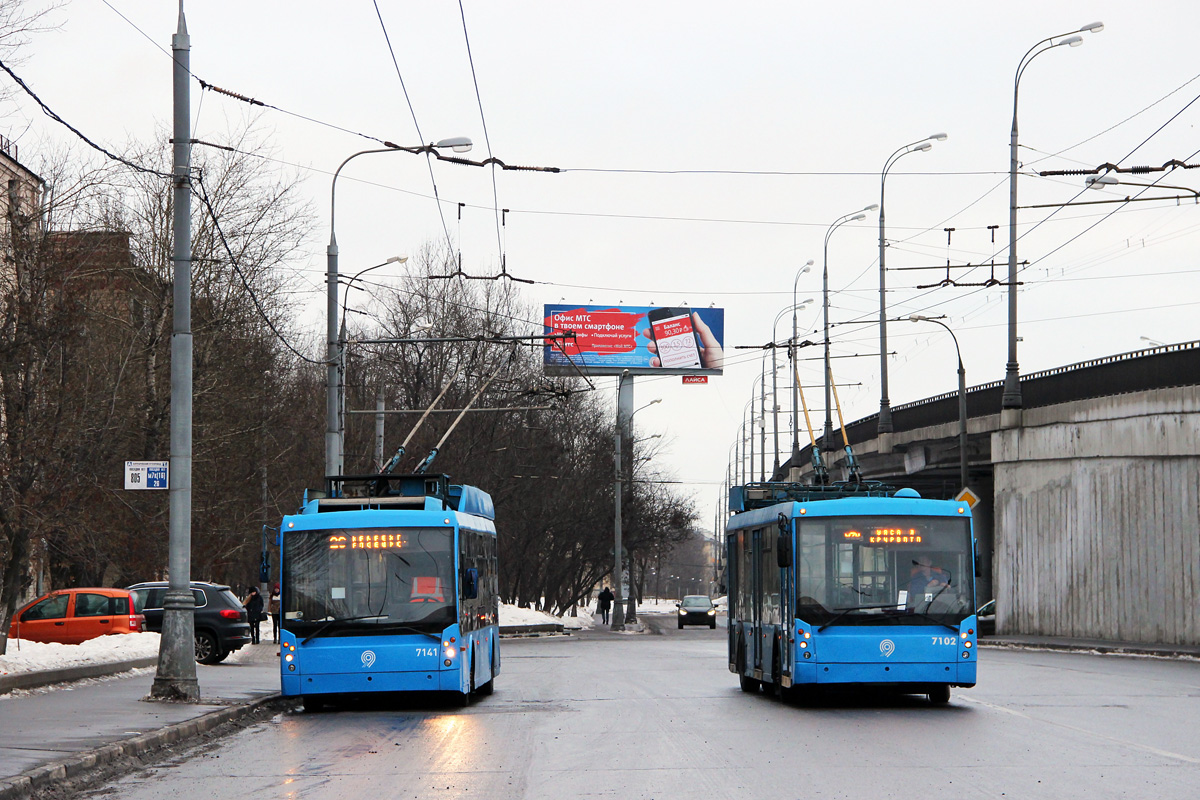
389, 586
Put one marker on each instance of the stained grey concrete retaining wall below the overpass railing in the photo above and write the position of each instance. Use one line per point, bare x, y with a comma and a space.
1097, 514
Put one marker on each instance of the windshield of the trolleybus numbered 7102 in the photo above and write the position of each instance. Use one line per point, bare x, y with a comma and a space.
885, 570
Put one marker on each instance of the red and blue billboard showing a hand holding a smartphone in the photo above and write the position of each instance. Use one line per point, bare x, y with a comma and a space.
645, 340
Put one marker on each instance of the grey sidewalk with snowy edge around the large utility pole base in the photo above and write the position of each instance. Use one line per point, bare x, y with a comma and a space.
51, 735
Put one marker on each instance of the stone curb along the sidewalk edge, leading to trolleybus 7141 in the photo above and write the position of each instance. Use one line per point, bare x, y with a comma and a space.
23, 786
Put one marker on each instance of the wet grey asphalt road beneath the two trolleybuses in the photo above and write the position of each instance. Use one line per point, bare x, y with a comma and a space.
659, 715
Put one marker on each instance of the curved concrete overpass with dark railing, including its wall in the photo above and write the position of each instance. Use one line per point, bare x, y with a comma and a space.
1090, 520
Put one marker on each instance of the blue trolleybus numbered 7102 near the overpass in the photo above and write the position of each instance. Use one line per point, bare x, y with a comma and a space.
850, 585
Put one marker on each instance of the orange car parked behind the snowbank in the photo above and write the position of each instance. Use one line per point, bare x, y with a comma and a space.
75, 616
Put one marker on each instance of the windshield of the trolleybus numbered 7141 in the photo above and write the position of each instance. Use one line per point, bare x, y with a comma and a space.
357, 582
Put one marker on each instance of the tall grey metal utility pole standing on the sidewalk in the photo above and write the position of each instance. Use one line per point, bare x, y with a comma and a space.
176, 679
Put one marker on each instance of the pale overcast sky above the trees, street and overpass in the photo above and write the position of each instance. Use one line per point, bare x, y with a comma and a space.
709, 148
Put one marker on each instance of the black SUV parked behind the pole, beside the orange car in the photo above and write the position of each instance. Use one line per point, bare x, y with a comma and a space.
221, 624
